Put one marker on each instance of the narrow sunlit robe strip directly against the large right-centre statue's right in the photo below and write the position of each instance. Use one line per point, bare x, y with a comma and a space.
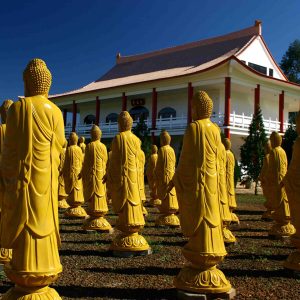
223, 196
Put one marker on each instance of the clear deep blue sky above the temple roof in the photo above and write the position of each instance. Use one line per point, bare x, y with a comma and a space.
79, 39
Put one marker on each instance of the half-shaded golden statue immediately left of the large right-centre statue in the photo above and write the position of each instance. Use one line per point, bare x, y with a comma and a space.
164, 172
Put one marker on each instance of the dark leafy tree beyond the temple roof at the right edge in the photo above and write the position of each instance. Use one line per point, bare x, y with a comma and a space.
290, 62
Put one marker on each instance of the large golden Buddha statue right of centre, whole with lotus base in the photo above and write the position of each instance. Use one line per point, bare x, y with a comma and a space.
196, 182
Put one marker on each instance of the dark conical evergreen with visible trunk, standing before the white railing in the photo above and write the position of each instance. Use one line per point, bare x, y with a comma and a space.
252, 151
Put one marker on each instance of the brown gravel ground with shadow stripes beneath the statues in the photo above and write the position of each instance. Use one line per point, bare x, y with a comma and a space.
253, 266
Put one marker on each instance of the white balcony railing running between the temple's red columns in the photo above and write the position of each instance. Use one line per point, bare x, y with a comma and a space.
238, 123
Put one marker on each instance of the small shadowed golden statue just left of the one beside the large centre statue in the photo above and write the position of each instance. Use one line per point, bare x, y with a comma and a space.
154, 201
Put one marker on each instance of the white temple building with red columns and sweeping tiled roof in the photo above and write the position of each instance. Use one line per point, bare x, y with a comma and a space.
237, 70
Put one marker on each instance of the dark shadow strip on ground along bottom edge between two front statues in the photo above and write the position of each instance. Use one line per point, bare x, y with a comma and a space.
115, 293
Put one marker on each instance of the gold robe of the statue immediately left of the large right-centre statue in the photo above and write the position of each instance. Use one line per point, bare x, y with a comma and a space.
164, 172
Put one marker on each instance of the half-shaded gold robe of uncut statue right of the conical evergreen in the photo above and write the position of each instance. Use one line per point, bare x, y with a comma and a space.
276, 172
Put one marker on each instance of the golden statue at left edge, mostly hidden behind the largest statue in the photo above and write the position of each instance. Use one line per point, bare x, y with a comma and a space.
5, 254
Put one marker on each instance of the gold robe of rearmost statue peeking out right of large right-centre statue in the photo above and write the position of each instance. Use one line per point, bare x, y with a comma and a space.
230, 163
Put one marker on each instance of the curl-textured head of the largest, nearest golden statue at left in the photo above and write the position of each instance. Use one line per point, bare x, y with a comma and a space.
37, 78
